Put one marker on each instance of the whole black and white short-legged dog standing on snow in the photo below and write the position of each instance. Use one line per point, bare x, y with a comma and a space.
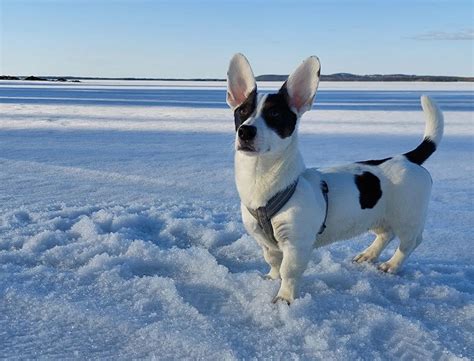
290, 209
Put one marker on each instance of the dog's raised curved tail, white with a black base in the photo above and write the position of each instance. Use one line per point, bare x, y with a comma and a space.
433, 132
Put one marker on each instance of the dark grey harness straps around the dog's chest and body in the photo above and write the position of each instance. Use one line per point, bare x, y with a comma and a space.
264, 214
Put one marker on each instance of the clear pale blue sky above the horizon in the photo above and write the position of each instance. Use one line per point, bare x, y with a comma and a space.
189, 39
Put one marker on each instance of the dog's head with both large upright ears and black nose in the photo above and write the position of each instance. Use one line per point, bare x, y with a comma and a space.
267, 124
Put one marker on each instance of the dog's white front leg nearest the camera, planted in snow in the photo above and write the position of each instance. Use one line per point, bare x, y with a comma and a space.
295, 260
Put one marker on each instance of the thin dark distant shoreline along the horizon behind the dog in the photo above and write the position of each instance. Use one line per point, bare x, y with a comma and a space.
343, 77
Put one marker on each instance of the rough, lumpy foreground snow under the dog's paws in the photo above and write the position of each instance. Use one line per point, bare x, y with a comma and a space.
186, 282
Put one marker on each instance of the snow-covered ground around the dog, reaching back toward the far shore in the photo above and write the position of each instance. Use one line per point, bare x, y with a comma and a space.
120, 237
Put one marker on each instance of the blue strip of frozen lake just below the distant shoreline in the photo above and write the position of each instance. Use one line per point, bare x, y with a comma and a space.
152, 95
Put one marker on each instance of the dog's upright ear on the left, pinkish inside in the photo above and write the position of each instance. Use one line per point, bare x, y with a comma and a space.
240, 81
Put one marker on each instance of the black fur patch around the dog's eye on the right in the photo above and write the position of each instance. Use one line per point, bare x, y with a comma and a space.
277, 113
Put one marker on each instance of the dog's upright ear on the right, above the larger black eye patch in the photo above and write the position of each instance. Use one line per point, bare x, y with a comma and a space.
302, 85
